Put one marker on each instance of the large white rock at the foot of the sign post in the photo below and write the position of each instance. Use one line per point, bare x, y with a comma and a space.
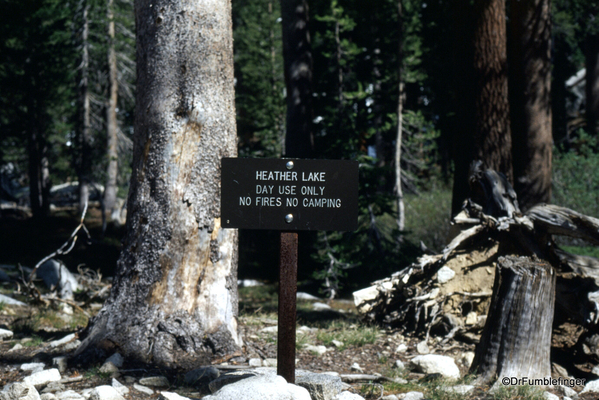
272, 387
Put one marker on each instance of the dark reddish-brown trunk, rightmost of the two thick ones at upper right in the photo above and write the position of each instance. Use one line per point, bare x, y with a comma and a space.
530, 96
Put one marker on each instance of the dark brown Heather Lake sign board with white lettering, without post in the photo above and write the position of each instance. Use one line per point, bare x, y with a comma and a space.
289, 194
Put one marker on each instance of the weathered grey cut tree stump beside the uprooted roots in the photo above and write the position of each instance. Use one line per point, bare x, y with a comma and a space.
516, 339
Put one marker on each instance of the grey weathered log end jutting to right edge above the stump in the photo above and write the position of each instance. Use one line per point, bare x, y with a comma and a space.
557, 220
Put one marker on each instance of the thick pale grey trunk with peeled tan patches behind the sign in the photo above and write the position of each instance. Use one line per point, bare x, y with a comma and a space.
174, 297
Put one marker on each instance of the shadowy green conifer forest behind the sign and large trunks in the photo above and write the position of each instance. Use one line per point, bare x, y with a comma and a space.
67, 79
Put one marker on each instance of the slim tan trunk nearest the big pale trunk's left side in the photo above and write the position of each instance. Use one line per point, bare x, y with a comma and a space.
111, 120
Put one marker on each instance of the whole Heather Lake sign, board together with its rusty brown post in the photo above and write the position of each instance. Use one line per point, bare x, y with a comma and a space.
289, 195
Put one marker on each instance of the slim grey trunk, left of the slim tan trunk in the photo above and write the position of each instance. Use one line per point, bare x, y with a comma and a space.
84, 161
